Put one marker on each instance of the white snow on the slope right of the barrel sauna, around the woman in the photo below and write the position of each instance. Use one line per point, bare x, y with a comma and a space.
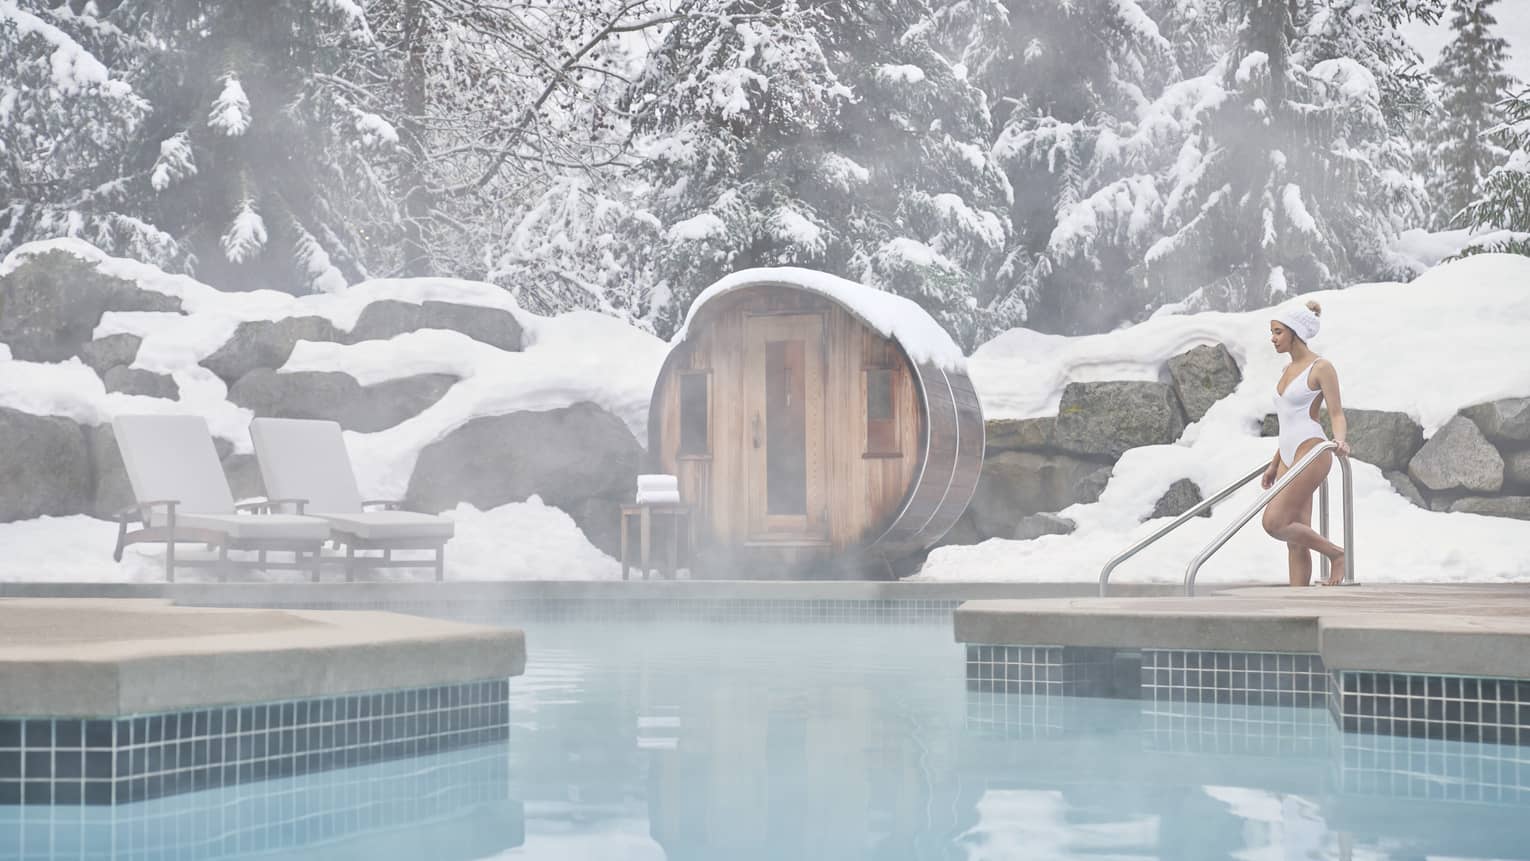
1448, 340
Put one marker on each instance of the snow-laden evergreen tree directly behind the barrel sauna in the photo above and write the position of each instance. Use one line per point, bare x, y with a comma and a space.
835, 138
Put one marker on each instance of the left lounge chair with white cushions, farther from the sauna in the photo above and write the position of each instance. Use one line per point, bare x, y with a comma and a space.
183, 498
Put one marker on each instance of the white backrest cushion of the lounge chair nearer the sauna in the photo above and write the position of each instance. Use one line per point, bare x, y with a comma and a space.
307, 460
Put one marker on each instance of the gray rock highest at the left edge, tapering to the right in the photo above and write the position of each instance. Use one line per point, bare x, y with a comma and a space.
53, 302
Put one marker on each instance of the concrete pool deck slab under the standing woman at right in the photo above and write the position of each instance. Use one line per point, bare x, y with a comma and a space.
1470, 629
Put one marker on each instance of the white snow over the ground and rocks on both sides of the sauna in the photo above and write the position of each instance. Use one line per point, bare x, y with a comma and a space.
1451, 339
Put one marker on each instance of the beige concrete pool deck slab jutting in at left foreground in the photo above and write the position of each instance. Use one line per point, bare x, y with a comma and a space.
114, 657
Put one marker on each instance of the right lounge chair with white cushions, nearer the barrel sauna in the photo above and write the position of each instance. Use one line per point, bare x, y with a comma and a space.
307, 460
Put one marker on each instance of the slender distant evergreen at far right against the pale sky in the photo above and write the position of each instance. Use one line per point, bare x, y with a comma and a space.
1473, 85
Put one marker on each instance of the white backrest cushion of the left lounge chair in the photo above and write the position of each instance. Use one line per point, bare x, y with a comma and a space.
172, 458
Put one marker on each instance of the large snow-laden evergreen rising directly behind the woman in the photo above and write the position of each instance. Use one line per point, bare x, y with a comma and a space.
1297, 174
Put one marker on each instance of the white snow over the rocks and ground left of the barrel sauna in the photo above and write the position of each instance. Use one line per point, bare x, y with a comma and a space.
567, 359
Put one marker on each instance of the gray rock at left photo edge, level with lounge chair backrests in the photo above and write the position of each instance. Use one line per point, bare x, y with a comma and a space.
45, 467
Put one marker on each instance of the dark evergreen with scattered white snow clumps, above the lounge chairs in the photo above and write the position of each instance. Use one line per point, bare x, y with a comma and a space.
255, 163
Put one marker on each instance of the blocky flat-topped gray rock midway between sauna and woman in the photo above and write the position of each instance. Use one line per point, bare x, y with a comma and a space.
1108, 418
